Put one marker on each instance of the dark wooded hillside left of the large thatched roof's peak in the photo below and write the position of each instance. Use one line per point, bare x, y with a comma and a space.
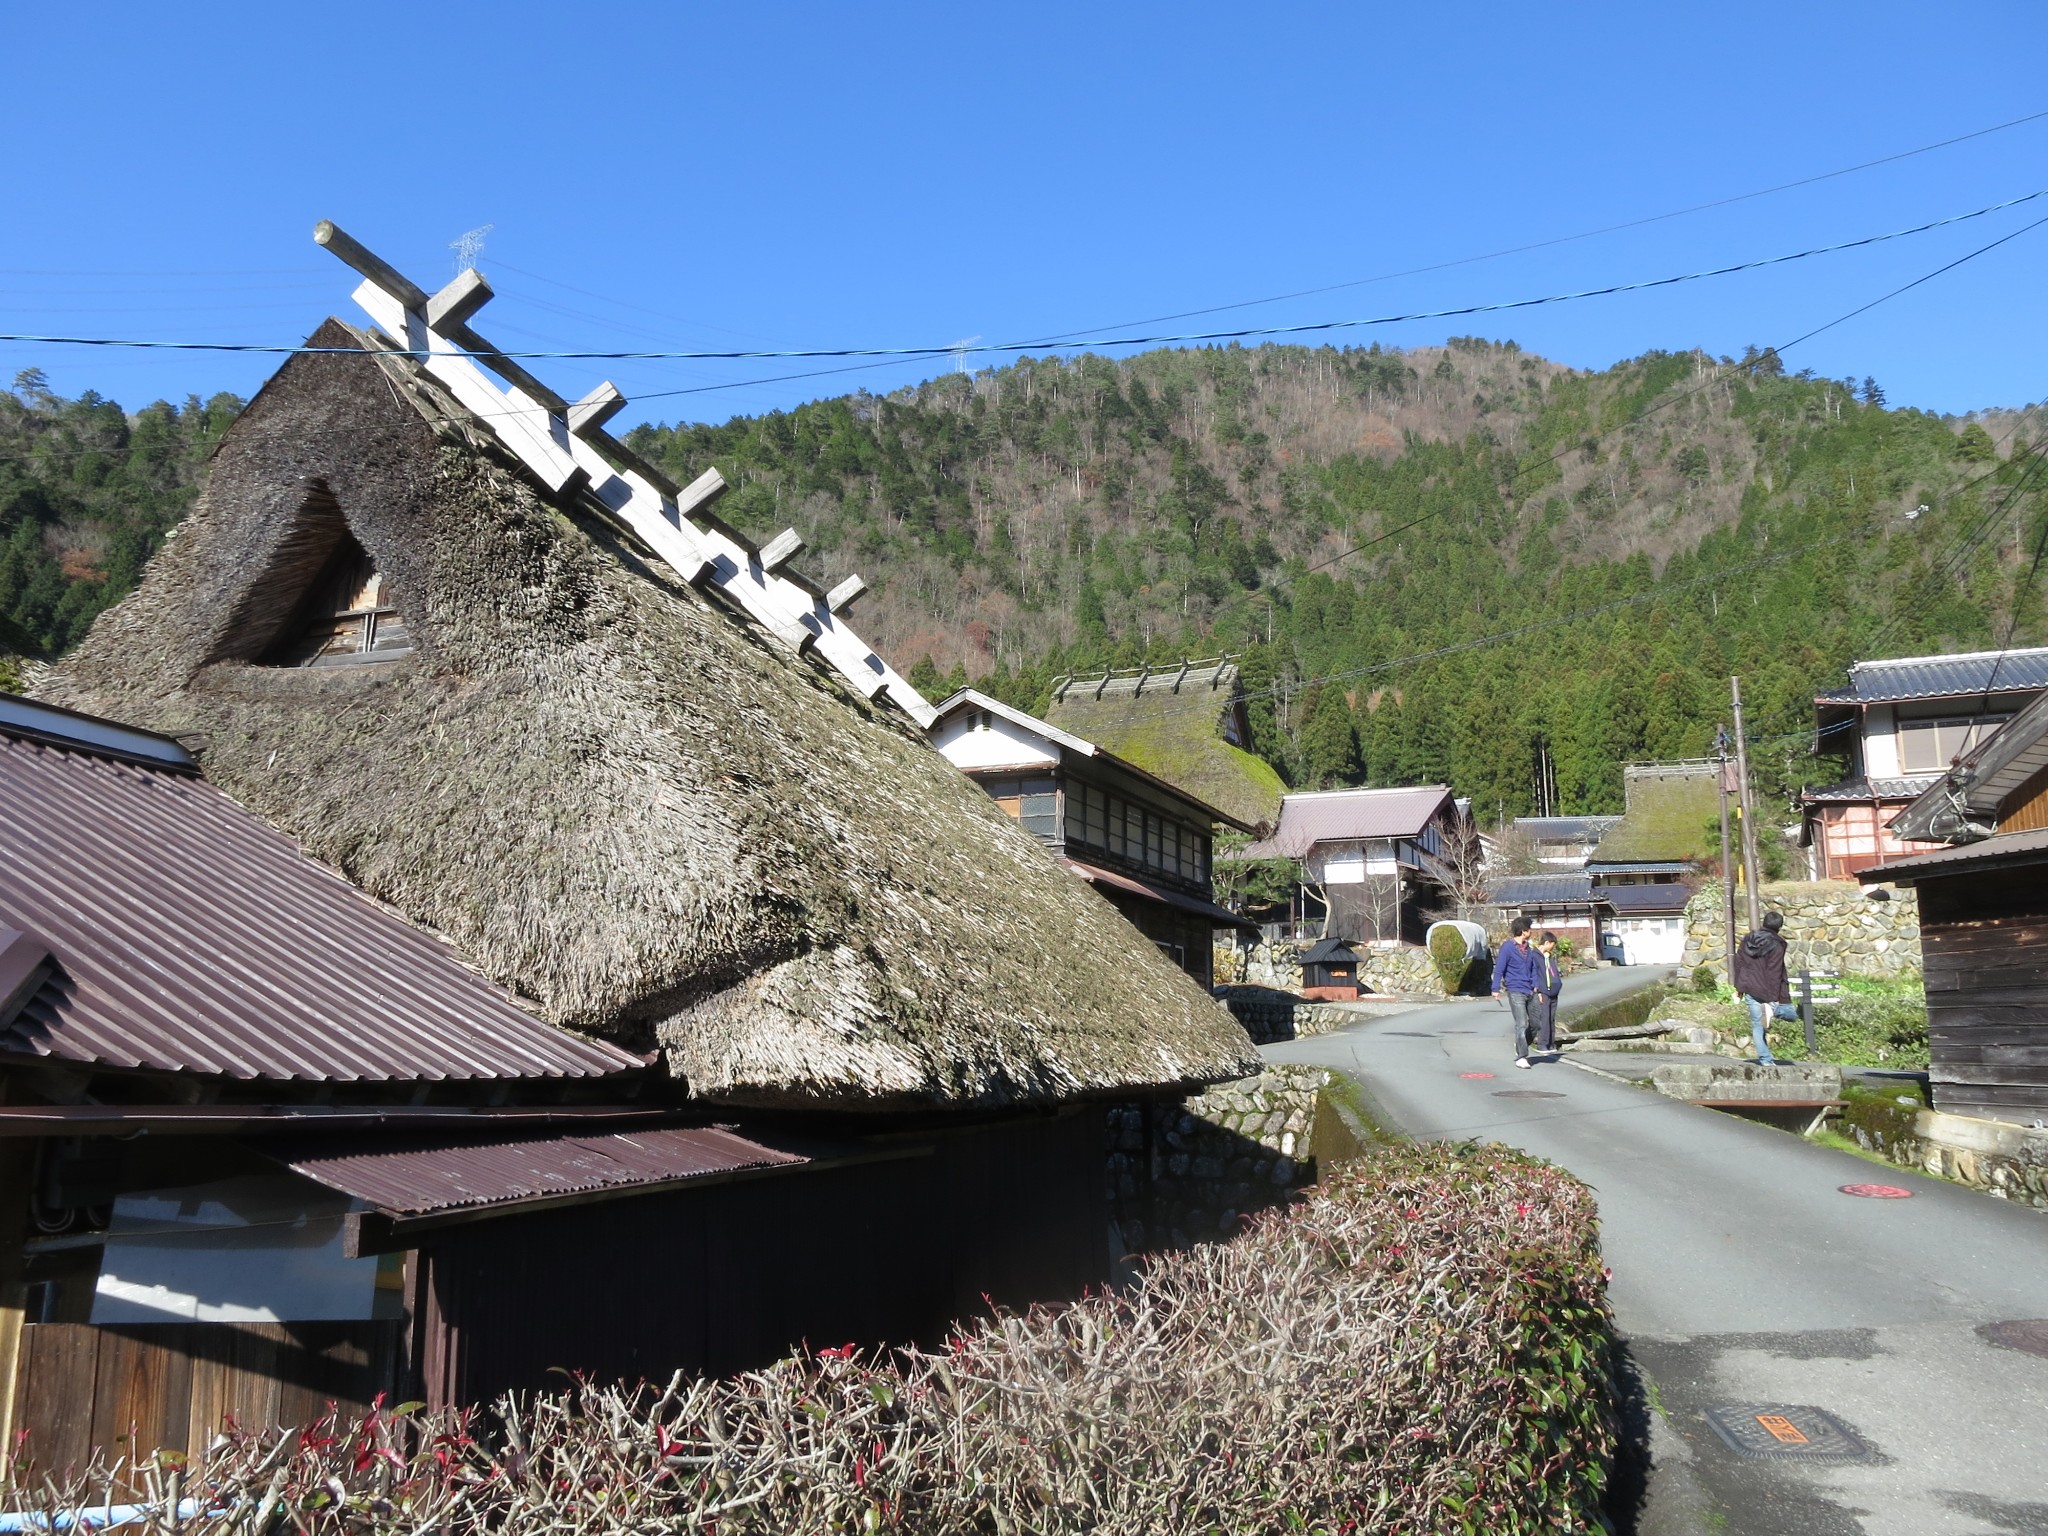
87, 495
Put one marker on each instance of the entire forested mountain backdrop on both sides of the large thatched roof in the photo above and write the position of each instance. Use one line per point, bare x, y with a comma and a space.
1363, 527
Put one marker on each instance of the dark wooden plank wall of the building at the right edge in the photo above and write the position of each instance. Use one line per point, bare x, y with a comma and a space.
1986, 947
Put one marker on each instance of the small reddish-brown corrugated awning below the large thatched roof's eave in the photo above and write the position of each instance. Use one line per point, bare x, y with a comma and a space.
419, 1181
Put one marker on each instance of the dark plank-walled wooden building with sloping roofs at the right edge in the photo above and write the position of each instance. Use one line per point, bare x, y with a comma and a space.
1983, 912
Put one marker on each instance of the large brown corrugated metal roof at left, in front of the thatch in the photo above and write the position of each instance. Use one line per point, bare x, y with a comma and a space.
191, 937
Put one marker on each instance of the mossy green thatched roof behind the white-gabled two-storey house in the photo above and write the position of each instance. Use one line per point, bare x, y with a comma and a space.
1172, 724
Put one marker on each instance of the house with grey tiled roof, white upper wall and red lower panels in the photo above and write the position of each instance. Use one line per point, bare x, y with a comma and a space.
1900, 724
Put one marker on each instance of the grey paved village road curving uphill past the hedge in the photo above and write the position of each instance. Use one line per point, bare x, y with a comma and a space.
1742, 1275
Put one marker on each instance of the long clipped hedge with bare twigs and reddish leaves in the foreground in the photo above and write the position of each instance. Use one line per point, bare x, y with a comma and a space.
1420, 1347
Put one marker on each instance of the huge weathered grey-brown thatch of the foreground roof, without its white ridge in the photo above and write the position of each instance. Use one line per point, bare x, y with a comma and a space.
613, 796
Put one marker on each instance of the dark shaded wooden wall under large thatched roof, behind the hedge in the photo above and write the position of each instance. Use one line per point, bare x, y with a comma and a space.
734, 1277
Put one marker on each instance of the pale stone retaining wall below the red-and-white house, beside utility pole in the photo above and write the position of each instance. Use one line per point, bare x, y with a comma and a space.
1830, 927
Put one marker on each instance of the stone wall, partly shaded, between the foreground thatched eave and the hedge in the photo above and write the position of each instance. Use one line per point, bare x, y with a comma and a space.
1191, 1172
